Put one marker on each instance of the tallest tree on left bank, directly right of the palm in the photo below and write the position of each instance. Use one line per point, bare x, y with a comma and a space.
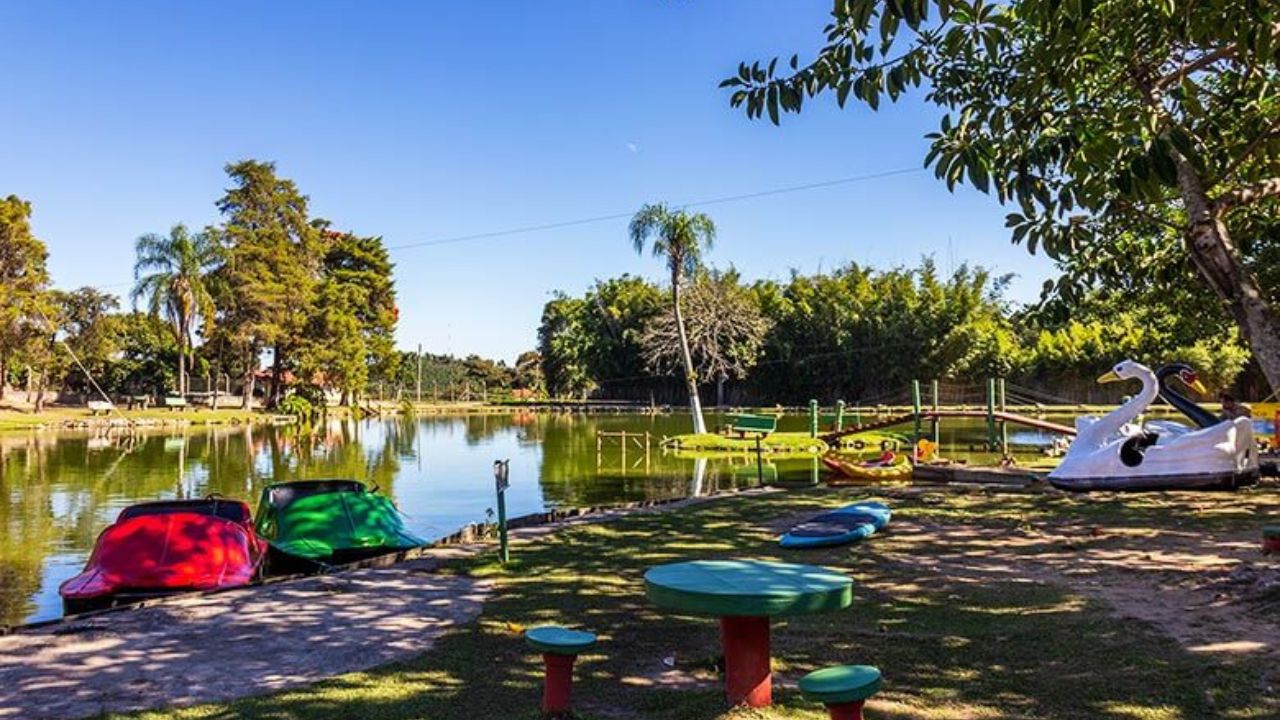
272, 270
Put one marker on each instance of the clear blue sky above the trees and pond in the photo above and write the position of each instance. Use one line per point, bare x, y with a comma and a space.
431, 121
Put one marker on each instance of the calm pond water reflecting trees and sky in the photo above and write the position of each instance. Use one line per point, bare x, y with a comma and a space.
60, 490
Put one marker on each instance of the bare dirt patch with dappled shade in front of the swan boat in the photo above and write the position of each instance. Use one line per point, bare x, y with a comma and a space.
1213, 593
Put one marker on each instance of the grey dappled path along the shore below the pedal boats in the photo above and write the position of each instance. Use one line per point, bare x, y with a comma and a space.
230, 645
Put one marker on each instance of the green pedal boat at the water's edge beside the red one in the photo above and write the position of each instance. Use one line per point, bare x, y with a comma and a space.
310, 523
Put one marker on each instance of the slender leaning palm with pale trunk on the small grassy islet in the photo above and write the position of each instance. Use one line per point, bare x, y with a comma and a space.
680, 239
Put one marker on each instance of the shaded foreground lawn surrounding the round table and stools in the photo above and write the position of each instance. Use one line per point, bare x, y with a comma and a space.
950, 648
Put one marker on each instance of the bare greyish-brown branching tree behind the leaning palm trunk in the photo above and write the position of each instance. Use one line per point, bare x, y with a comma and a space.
726, 331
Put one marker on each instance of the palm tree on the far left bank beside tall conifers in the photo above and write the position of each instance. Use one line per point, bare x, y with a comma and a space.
172, 274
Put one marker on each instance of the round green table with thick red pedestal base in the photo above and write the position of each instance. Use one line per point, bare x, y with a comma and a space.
744, 595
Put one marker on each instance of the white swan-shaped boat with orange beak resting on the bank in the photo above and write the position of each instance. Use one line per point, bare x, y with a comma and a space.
1107, 457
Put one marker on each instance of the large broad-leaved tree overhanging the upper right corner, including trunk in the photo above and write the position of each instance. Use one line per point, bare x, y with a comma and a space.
1094, 119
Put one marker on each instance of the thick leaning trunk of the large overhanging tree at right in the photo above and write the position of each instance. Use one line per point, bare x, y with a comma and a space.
1219, 261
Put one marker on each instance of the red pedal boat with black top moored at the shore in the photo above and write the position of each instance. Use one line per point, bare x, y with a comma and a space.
166, 548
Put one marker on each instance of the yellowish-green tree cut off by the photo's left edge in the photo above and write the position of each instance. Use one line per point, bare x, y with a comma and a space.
24, 279
